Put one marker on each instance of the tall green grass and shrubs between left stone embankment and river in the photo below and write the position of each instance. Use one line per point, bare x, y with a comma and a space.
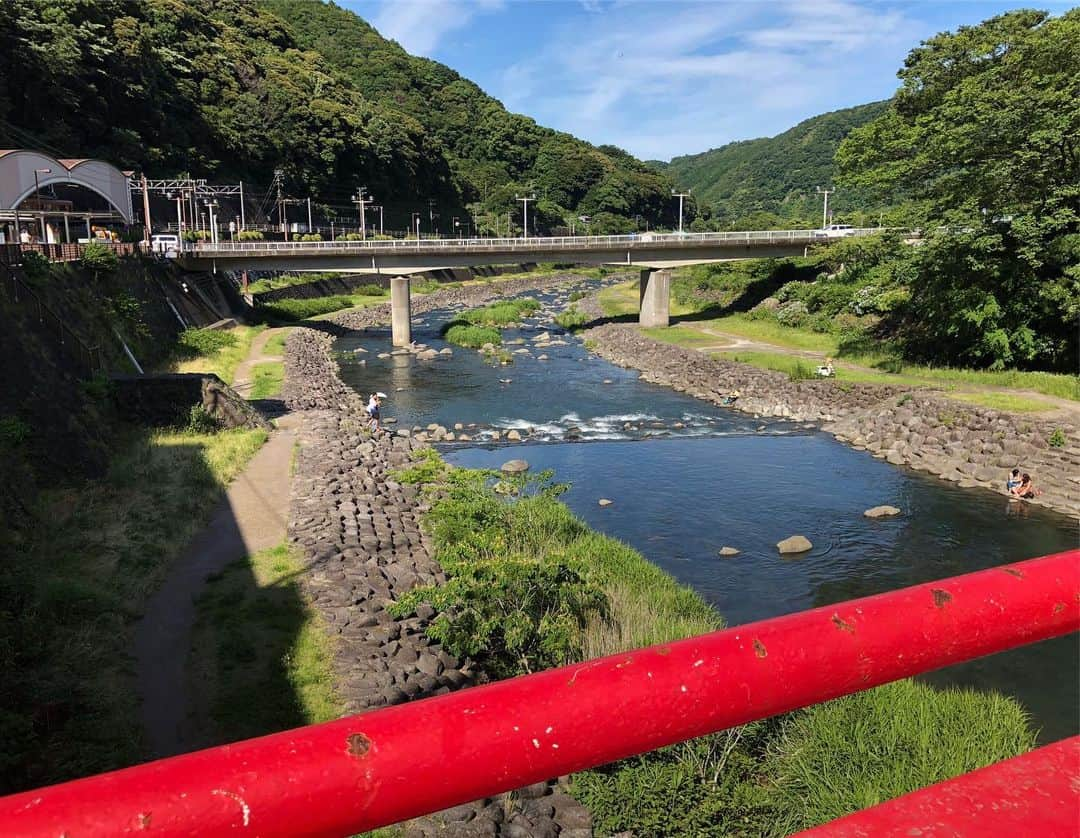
531, 587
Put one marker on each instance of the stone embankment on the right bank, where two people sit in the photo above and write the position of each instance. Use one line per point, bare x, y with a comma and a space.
962, 443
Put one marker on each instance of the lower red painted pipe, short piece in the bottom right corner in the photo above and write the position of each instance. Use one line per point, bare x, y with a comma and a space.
1033, 794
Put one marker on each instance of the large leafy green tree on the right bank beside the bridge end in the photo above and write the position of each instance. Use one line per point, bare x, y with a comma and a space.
985, 130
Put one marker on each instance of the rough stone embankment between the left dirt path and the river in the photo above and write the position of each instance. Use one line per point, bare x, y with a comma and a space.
362, 545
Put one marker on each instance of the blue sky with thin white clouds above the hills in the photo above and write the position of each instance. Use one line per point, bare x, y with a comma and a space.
663, 79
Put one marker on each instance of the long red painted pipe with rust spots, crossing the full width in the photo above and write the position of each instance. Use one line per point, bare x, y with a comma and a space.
387, 766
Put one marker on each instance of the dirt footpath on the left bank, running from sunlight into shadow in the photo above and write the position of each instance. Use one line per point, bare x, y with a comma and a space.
252, 517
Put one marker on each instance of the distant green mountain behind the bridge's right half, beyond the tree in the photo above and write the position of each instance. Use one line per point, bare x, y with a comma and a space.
776, 175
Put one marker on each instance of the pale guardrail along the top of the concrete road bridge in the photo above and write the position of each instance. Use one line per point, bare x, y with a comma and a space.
535, 244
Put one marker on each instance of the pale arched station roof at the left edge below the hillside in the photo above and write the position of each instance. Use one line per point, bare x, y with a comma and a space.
17, 179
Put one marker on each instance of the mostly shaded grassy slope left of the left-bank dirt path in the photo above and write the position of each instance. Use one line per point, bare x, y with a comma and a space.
72, 596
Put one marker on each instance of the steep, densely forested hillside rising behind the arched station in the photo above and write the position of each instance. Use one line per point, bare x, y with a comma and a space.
226, 89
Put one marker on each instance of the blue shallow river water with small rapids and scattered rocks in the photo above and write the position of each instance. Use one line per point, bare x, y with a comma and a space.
687, 479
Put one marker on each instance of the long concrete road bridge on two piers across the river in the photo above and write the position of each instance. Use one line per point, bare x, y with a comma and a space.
655, 254
